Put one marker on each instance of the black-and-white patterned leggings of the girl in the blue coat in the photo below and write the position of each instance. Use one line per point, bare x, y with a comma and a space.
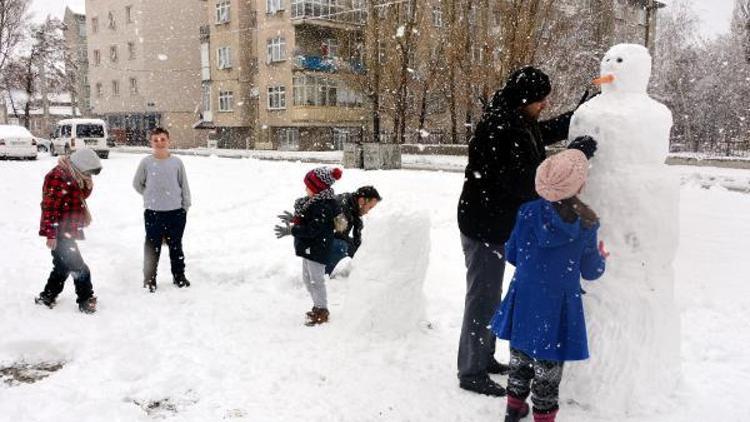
541, 378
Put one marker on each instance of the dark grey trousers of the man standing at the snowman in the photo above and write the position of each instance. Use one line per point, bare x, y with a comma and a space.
485, 265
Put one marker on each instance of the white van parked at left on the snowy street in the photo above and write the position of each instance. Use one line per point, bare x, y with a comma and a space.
78, 133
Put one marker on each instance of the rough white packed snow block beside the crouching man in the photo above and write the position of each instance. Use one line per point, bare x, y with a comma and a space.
385, 294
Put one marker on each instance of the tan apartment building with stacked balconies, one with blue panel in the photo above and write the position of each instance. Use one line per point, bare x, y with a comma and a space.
276, 73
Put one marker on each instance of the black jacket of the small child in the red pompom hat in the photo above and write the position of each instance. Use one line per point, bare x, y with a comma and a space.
313, 236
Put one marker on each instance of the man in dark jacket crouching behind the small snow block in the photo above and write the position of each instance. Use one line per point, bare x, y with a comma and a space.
348, 239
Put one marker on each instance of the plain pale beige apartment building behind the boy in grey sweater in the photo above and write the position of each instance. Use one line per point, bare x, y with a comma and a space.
145, 66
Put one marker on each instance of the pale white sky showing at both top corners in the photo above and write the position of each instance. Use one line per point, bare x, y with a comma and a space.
715, 14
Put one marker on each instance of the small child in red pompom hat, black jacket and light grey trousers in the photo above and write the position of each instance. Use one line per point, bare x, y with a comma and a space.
313, 228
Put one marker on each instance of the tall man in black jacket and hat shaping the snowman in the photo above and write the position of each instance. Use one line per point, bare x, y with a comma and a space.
507, 147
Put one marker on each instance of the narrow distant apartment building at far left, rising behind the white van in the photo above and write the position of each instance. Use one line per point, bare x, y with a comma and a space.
74, 31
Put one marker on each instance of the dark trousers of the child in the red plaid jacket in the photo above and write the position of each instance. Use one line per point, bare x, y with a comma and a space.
67, 260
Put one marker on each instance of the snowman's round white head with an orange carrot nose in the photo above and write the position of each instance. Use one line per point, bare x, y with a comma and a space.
625, 68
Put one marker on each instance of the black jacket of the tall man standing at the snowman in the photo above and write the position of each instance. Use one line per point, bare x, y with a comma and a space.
504, 153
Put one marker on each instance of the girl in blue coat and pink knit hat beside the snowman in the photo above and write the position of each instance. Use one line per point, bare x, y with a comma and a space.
553, 245
